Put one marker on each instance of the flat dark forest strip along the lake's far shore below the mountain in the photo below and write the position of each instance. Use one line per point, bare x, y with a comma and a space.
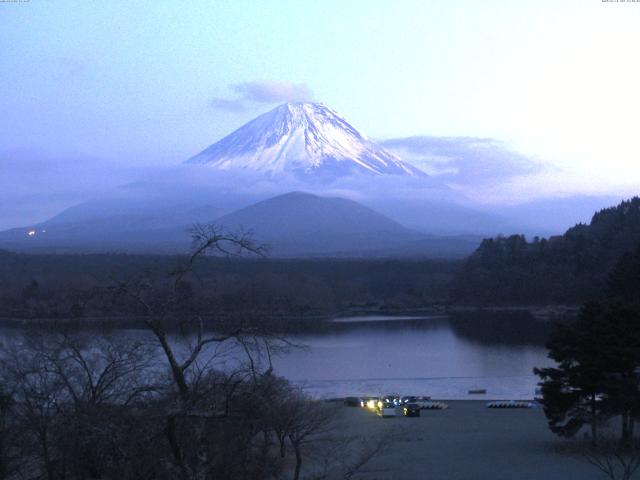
74, 286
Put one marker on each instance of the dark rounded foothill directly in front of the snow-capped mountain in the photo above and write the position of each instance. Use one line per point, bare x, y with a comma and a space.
299, 223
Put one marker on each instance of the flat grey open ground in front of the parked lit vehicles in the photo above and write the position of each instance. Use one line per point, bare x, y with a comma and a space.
468, 441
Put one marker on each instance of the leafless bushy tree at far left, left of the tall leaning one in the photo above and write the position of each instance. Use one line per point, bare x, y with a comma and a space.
71, 396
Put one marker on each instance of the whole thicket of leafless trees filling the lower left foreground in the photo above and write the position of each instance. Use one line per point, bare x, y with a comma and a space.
196, 398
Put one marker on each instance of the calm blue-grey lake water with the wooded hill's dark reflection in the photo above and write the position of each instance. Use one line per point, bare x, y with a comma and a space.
437, 356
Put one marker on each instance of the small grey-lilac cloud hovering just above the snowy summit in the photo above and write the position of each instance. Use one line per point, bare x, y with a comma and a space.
248, 94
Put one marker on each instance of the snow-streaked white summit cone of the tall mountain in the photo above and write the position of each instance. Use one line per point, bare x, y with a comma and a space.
308, 140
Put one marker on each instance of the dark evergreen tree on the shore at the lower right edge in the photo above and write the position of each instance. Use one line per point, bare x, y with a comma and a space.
596, 377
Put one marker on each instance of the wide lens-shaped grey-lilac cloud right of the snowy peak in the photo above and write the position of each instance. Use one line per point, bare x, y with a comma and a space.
464, 160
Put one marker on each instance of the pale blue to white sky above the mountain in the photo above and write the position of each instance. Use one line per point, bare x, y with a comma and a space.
154, 82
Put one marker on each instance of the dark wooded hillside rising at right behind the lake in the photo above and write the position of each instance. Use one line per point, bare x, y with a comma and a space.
569, 269
